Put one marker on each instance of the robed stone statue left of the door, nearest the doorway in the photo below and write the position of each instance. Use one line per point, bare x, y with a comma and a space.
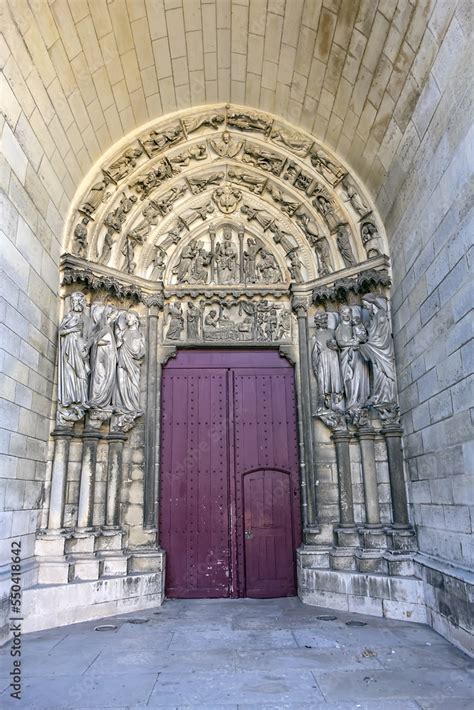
130, 353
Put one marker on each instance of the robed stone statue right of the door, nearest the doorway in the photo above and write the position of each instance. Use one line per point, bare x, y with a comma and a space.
325, 363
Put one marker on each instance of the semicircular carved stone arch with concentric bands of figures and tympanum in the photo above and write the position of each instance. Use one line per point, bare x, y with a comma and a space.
224, 197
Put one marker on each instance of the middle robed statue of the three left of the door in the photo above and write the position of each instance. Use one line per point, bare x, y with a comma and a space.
103, 356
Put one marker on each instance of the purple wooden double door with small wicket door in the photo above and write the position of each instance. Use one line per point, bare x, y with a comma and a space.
229, 500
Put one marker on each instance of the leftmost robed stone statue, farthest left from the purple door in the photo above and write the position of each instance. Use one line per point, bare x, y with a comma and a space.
73, 362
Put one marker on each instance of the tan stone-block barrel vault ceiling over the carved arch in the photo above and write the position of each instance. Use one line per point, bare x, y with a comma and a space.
87, 73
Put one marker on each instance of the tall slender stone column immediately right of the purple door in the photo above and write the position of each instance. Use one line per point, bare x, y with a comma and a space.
310, 526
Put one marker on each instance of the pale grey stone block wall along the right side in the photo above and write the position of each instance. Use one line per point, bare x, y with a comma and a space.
427, 204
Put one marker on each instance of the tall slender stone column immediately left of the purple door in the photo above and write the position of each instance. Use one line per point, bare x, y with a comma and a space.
151, 482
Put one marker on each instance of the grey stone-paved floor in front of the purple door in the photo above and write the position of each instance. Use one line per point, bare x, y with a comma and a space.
241, 654
